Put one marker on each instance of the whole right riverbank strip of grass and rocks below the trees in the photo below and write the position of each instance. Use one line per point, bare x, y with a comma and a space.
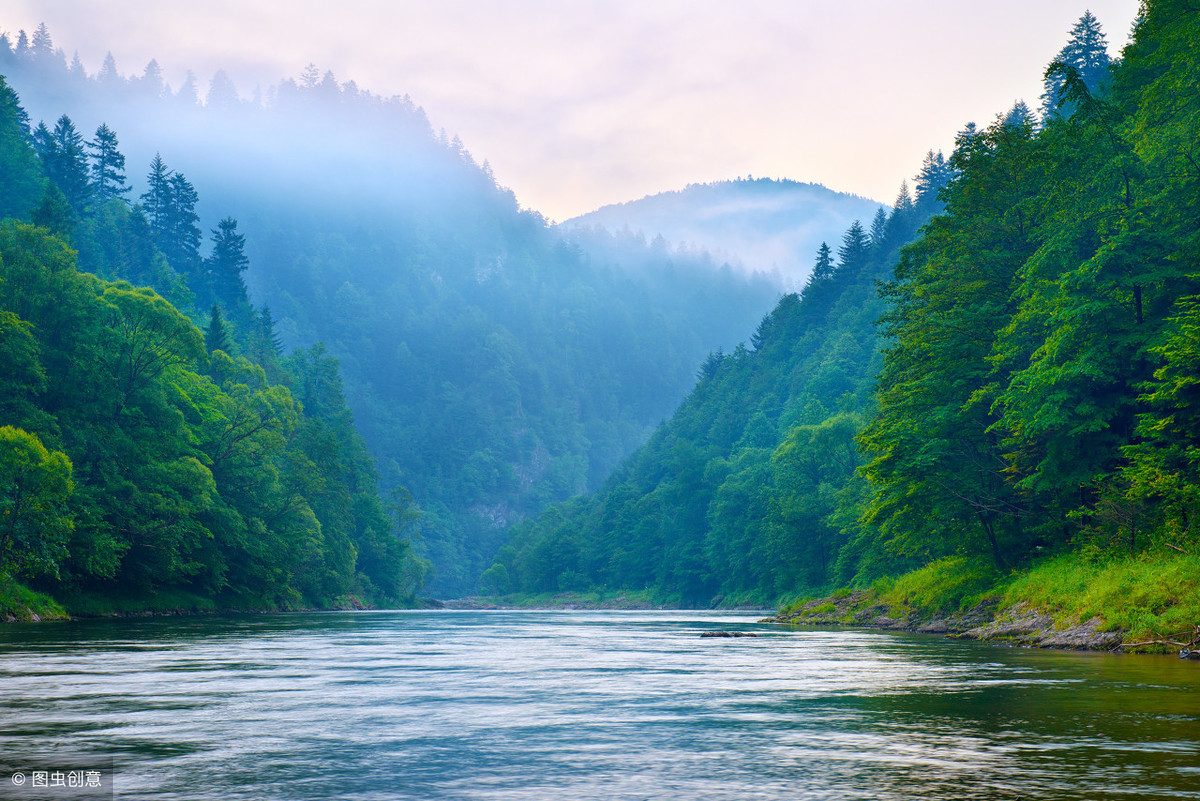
1071, 603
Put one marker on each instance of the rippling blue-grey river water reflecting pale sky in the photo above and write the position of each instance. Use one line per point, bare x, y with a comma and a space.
614, 706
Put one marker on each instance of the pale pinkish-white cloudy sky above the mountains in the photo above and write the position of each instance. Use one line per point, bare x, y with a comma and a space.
581, 104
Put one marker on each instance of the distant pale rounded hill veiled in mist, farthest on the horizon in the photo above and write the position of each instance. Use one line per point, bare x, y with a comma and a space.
767, 226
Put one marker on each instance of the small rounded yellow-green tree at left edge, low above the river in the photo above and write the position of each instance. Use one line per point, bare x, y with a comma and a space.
35, 525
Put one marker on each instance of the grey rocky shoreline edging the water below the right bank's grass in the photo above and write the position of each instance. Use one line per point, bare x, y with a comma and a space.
1018, 625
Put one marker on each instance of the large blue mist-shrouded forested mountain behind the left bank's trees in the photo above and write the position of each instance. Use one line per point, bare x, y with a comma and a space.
493, 365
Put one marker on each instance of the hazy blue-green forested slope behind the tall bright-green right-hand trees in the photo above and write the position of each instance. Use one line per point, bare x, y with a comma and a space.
736, 496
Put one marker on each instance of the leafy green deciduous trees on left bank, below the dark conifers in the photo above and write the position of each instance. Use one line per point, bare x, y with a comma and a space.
194, 473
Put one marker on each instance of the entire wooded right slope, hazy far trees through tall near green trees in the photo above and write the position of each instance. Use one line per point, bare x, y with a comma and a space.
1033, 388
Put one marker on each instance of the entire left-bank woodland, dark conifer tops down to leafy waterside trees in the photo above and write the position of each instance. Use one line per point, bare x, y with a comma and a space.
145, 461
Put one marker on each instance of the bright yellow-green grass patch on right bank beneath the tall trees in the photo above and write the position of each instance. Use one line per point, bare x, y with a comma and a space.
1153, 598
